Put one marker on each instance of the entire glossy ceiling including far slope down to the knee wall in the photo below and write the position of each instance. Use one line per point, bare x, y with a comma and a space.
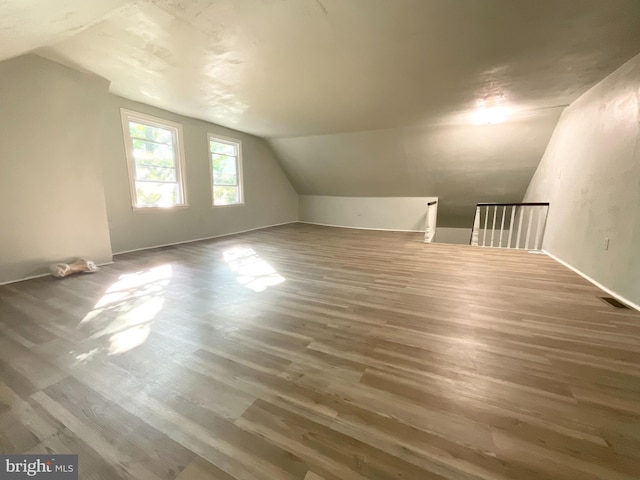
357, 97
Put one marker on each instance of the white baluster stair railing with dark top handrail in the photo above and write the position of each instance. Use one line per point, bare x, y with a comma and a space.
521, 225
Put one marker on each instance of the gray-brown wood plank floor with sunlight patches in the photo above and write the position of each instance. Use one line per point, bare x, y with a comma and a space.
315, 353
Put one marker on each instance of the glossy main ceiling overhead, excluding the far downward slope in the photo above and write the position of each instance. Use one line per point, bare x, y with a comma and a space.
308, 67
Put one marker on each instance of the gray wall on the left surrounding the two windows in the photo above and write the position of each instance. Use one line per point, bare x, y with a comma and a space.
64, 184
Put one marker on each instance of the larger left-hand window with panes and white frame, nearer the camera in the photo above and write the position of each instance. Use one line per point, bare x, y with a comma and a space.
155, 158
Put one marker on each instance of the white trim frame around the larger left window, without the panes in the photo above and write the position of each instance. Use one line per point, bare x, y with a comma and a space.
130, 115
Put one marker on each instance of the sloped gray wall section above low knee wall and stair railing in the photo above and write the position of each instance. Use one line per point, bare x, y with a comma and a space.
461, 164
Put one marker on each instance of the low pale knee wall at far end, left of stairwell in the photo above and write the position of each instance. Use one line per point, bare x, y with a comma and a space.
387, 213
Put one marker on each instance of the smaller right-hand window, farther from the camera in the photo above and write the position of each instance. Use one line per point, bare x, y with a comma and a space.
226, 170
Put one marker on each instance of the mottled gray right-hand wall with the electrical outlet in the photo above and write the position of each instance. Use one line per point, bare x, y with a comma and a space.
590, 173
